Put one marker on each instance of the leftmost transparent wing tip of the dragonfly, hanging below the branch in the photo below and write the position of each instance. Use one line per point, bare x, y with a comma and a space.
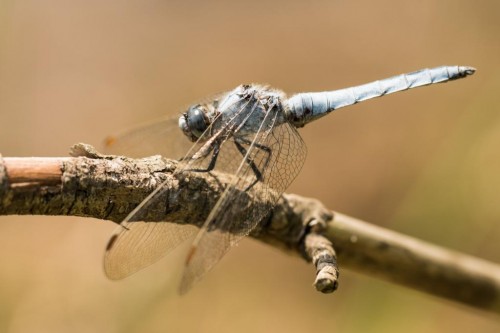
136, 245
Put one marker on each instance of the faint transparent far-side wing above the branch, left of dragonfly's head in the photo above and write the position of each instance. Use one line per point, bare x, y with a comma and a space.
161, 137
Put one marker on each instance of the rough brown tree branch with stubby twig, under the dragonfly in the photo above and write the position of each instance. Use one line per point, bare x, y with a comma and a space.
108, 187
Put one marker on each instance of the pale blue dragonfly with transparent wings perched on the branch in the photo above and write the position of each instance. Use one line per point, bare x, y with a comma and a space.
250, 133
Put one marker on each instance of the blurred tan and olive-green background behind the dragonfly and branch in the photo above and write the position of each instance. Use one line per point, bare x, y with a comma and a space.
424, 162
